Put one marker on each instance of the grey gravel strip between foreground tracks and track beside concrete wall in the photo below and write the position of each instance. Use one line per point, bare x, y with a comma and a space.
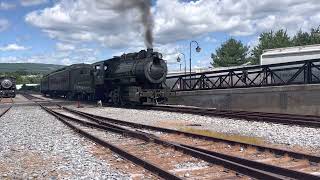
269, 132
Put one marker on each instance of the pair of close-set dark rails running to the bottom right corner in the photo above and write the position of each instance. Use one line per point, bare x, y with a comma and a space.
243, 166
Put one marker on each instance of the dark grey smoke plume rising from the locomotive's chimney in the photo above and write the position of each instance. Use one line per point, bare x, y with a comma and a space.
144, 6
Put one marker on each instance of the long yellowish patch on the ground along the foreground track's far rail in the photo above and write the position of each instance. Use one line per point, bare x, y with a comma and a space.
232, 137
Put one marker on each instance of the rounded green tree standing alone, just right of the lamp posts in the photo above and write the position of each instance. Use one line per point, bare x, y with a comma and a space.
231, 53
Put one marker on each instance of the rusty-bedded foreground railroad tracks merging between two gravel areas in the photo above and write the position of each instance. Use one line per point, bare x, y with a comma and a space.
249, 160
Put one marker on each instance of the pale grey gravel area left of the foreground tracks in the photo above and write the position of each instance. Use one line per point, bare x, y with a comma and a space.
33, 144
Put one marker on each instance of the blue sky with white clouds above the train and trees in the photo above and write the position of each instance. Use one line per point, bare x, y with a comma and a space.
66, 32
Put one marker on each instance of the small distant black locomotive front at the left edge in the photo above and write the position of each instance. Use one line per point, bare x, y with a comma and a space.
7, 87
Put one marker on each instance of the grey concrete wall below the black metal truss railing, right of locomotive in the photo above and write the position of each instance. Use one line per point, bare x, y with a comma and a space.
294, 99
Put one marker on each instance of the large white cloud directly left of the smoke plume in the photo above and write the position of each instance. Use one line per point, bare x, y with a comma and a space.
87, 21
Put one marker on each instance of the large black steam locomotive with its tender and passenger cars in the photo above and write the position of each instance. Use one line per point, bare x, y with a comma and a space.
130, 78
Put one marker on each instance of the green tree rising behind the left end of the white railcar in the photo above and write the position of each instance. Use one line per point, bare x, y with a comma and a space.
270, 40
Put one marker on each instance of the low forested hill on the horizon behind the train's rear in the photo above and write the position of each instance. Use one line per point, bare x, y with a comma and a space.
28, 67
